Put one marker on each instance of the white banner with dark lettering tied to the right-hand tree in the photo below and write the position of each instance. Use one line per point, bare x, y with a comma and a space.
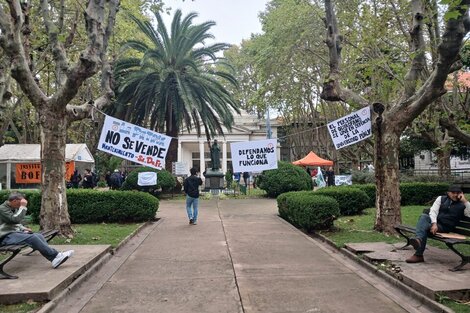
351, 128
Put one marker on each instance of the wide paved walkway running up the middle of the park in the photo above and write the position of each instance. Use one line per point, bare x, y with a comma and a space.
241, 257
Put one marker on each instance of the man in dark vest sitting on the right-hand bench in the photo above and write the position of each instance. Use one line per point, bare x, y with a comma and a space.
443, 217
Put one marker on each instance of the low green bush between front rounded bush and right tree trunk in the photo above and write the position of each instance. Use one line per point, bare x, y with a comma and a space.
351, 201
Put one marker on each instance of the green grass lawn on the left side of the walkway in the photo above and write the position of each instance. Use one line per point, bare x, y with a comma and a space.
85, 234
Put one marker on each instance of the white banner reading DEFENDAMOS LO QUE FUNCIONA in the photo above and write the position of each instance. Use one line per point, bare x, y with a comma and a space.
254, 156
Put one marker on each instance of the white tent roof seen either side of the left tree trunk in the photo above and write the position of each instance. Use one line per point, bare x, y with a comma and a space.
17, 153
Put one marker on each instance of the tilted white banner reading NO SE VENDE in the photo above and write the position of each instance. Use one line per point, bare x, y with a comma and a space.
134, 143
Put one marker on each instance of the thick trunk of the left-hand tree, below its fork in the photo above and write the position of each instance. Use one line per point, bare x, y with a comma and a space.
54, 210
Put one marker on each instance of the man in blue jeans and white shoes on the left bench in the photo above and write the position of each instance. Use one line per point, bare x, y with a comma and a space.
12, 232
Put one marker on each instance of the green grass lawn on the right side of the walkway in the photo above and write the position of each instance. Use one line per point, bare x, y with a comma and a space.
359, 228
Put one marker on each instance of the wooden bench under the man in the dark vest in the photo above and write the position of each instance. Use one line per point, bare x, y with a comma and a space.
463, 228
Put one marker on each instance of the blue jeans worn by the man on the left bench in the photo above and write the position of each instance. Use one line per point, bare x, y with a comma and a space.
34, 240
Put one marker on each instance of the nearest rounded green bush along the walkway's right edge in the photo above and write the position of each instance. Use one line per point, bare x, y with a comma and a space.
308, 210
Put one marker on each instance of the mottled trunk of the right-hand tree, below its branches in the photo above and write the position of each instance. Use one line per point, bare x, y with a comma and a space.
387, 201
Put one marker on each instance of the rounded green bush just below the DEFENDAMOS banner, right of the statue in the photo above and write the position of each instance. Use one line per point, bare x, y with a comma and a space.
285, 178
